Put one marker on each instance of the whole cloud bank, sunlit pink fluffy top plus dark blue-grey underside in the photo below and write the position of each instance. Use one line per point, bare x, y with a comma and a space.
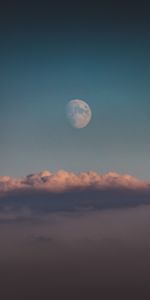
45, 192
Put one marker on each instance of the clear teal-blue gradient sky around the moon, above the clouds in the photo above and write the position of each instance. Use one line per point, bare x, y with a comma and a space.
52, 53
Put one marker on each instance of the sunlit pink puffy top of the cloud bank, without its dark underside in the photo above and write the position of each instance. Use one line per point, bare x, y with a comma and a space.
63, 181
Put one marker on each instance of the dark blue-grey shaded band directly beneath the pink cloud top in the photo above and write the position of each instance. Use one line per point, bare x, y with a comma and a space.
38, 202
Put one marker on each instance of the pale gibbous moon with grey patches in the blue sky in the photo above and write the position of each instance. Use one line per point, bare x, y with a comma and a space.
79, 113
